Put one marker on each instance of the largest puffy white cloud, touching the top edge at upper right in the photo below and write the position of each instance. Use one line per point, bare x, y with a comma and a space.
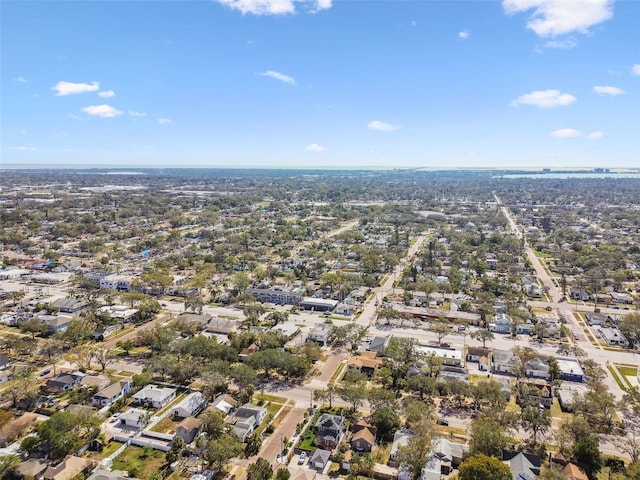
559, 17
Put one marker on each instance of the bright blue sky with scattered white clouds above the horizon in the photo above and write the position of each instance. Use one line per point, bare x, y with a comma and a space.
321, 83
